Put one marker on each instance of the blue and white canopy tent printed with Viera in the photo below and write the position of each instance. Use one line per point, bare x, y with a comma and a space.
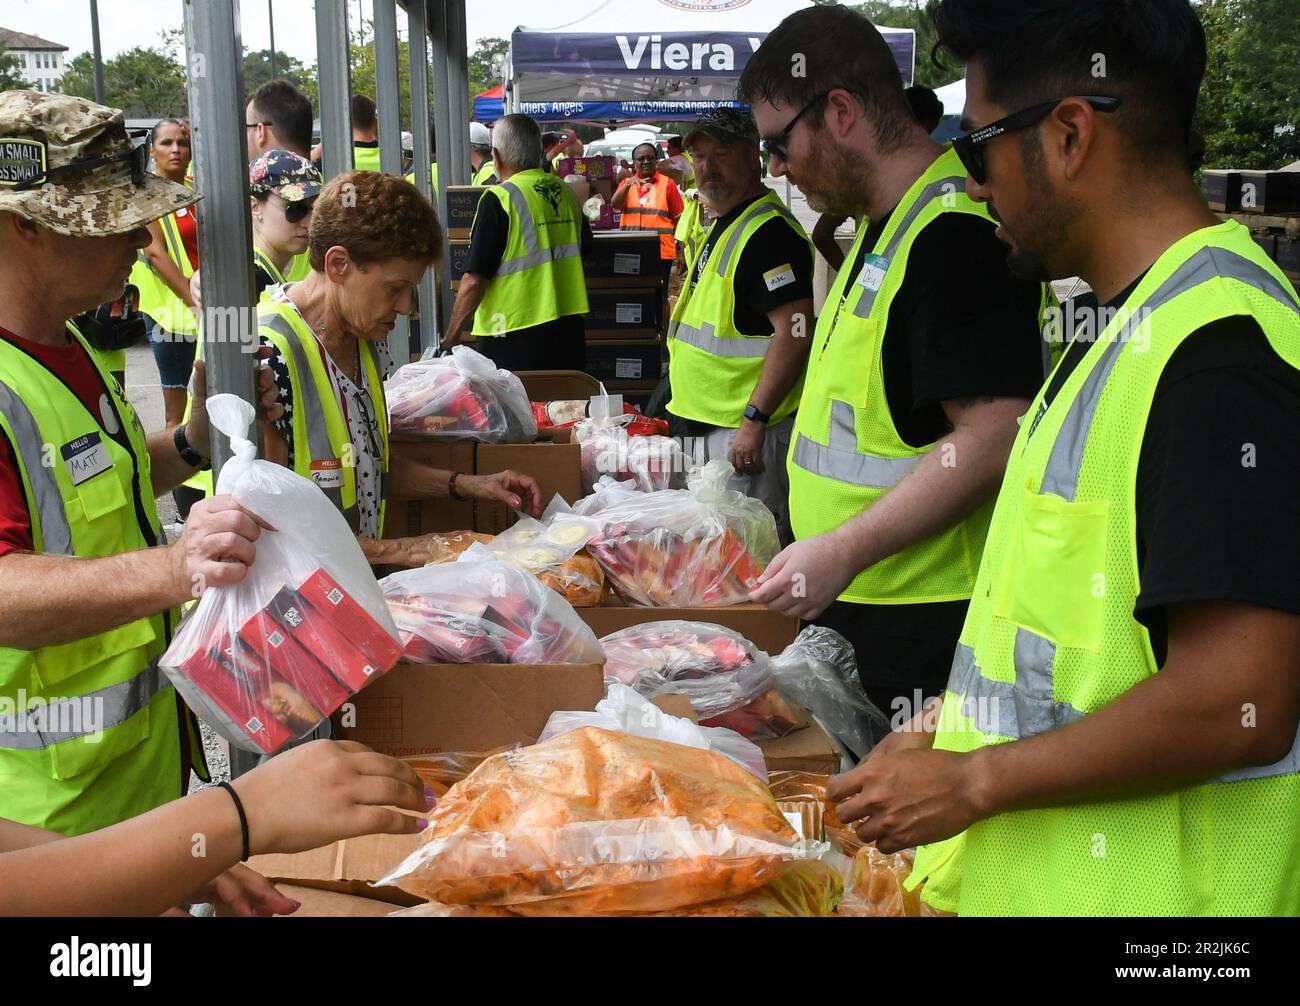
684, 58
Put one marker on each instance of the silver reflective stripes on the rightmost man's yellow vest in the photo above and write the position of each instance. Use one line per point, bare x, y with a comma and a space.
1028, 708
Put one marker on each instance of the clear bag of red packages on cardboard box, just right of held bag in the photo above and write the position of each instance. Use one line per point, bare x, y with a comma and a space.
482, 612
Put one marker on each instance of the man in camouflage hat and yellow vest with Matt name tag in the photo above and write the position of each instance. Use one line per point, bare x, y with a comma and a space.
92, 732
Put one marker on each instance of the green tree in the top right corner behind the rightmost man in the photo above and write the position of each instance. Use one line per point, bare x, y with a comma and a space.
1250, 110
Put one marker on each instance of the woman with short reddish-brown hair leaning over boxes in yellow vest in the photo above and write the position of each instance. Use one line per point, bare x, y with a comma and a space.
372, 237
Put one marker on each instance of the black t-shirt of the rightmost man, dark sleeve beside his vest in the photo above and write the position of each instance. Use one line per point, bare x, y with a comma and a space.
1217, 510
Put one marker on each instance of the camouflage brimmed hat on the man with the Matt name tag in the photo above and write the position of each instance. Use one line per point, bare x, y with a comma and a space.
70, 166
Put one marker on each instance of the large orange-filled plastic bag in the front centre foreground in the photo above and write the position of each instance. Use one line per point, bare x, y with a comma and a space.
597, 821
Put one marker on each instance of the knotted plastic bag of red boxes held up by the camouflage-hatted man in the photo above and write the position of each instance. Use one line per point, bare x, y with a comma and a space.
267, 660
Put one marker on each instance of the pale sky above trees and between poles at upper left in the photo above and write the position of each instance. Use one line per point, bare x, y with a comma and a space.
125, 24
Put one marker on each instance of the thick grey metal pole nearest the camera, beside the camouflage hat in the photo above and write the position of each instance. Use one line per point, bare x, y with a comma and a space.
215, 86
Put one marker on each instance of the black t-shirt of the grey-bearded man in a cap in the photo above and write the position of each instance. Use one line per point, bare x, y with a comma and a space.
775, 270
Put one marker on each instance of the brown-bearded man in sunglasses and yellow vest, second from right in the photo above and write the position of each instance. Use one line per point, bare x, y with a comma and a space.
925, 354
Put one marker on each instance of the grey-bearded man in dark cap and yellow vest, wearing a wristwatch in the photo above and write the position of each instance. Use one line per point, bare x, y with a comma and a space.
740, 333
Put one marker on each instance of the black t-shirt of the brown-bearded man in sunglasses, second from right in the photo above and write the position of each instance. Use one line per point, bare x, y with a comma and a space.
960, 327
